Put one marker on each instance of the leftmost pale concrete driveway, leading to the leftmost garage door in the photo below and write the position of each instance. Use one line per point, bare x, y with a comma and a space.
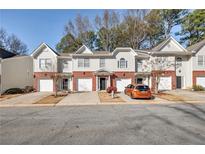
25, 99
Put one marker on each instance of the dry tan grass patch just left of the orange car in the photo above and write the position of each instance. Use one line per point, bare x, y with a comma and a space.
106, 97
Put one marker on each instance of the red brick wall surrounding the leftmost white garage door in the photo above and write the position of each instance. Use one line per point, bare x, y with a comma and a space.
42, 75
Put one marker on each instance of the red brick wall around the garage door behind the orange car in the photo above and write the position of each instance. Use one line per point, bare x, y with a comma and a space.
122, 75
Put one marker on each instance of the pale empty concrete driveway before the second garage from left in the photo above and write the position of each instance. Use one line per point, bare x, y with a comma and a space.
80, 98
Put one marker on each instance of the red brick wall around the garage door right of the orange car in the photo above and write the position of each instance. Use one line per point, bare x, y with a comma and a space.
166, 74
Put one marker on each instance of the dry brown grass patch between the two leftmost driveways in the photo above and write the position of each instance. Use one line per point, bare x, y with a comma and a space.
50, 99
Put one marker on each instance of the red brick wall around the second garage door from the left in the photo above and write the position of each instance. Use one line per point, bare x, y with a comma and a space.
85, 74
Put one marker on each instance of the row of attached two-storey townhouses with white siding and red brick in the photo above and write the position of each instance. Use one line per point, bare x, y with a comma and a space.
86, 70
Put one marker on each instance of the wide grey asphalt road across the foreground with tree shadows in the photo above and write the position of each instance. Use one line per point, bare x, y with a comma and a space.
104, 124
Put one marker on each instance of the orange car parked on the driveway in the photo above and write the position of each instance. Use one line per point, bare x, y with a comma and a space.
138, 91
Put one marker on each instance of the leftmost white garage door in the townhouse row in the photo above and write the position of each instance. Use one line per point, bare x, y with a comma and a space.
46, 85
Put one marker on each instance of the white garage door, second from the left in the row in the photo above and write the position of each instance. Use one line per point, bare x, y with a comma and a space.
84, 84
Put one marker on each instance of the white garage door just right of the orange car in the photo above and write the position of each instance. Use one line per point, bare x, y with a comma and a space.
165, 83
